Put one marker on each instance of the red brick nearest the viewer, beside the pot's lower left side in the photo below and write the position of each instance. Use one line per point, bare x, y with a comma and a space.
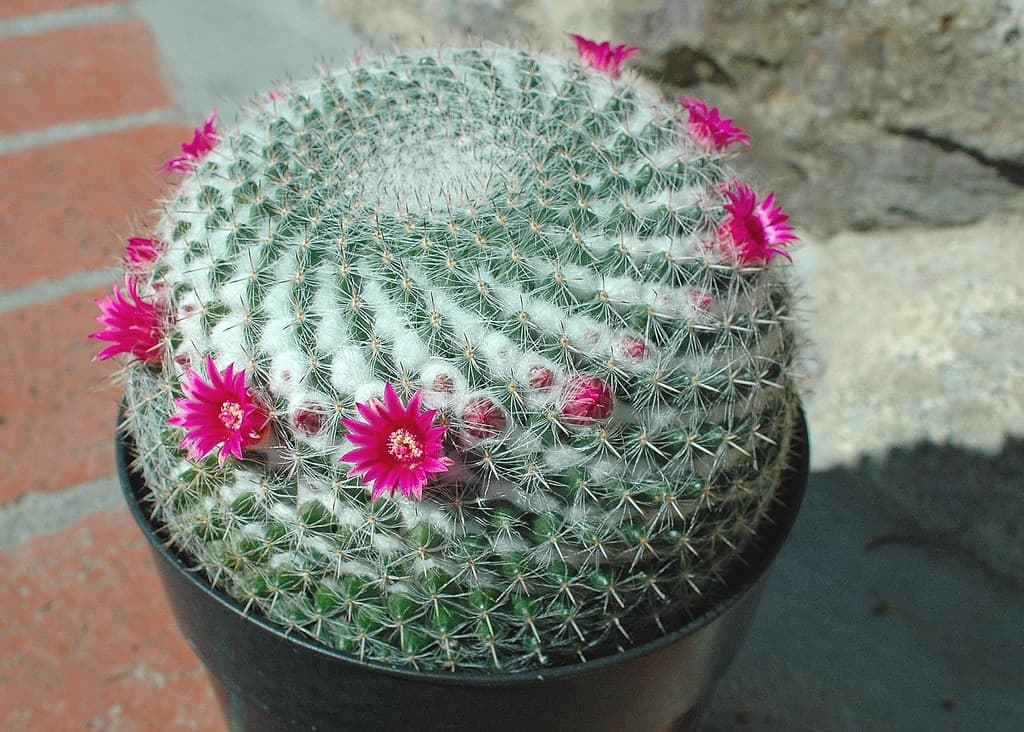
89, 640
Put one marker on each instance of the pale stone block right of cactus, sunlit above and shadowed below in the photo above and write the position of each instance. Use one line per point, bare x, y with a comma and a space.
917, 357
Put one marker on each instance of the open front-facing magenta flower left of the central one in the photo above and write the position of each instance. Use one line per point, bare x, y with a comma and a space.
221, 412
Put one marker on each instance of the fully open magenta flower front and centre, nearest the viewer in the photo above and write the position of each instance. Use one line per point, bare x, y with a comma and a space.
397, 447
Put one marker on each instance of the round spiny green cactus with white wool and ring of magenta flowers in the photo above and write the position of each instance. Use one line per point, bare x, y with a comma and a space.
473, 359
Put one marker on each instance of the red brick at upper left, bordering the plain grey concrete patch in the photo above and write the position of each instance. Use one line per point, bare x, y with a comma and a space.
80, 73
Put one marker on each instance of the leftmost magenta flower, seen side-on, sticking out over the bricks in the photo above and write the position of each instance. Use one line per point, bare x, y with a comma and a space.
133, 325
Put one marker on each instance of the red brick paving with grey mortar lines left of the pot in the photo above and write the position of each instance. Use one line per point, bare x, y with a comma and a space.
89, 641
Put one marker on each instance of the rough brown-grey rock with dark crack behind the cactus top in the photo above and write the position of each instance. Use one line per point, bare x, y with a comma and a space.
867, 114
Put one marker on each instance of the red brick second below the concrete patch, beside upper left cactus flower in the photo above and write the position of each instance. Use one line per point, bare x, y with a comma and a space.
69, 207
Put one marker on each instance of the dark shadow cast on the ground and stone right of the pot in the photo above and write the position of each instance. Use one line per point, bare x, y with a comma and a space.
875, 620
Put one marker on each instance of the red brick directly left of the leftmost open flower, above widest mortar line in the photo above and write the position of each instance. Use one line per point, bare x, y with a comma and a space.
58, 410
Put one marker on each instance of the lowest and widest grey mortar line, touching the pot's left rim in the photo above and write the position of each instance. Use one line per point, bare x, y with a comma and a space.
40, 513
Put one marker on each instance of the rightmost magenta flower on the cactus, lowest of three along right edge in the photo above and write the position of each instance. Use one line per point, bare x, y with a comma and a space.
754, 232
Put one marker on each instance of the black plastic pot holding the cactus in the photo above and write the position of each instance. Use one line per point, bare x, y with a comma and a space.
270, 681
